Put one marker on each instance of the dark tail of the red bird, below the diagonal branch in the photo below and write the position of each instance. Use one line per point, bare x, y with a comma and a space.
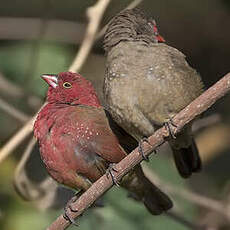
142, 189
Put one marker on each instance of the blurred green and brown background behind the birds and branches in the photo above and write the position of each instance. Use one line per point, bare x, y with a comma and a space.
43, 36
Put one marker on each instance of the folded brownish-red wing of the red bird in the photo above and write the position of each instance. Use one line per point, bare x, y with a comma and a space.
98, 136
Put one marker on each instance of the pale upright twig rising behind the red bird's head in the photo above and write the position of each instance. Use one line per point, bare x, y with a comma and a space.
94, 15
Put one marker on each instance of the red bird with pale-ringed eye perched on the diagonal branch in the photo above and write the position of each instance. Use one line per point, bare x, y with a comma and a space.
77, 144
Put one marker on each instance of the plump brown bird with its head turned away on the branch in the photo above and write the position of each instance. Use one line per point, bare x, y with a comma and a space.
147, 82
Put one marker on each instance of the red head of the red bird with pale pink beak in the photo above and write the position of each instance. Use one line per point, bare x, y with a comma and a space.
70, 88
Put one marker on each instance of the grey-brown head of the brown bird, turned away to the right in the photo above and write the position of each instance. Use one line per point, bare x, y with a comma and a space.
131, 25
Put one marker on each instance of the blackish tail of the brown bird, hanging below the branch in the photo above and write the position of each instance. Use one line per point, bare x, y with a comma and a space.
187, 160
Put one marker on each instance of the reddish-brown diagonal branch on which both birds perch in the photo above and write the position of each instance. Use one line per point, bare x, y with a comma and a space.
194, 109
